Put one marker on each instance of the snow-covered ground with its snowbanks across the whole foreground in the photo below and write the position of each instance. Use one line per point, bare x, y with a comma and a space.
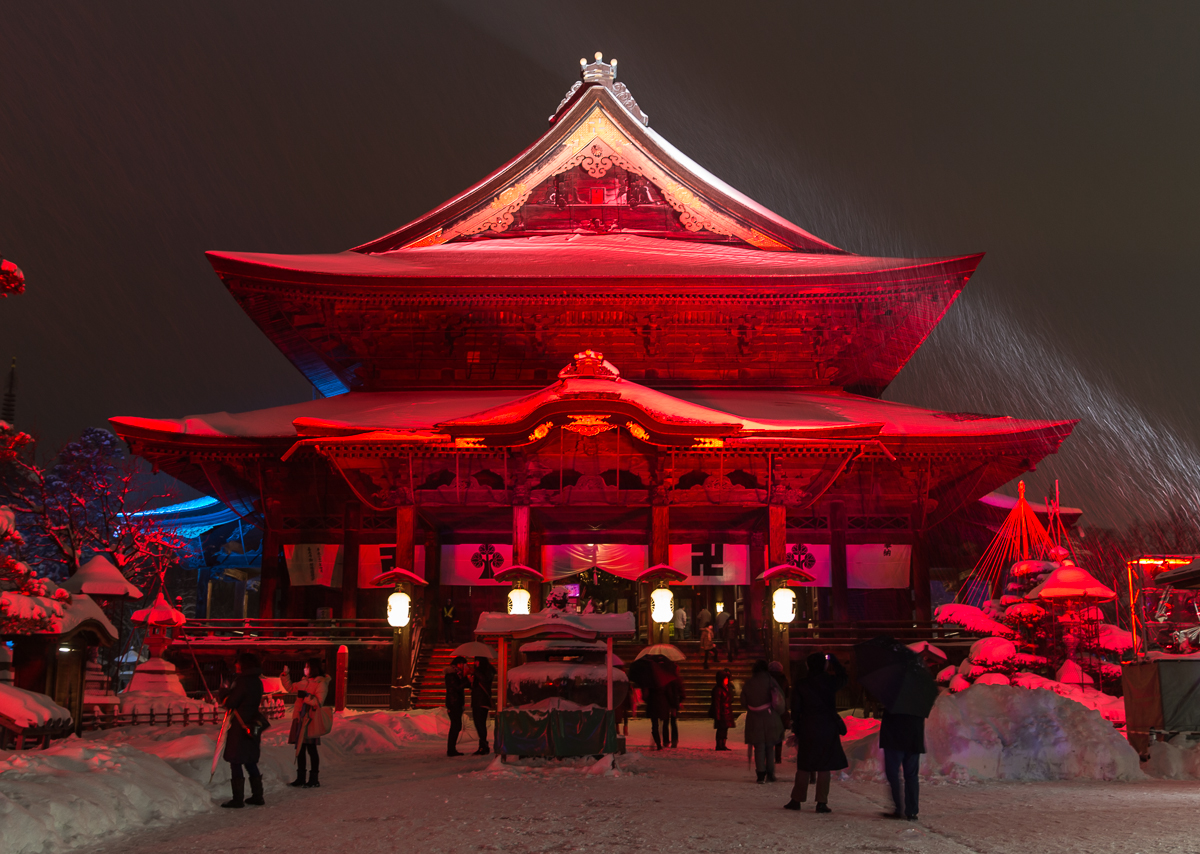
388, 786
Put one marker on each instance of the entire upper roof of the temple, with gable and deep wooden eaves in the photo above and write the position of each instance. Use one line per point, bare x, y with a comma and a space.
601, 225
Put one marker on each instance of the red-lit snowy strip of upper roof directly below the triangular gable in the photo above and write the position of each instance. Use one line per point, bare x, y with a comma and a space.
575, 257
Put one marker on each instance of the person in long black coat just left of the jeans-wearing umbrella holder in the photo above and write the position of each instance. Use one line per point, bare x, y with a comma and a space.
819, 730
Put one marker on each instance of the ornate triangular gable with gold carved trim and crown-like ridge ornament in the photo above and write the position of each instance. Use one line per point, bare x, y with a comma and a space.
599, 170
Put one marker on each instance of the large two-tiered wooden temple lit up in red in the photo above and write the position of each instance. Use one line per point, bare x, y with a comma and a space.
598, 359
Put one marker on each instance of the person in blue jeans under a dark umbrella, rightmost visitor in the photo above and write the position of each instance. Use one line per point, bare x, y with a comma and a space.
901, 682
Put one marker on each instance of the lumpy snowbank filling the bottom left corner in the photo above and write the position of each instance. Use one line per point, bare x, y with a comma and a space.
79, 791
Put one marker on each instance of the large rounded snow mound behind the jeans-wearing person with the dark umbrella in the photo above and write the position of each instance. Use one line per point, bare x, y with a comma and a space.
997, 732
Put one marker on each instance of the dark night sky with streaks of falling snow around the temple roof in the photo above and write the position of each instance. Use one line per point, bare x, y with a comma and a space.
1060, 139
